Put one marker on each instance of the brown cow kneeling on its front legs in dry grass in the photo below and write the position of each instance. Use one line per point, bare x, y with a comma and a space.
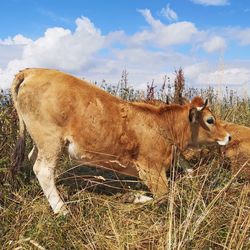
60, 111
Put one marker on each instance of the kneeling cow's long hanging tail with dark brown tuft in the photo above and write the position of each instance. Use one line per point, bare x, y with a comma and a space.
18, 155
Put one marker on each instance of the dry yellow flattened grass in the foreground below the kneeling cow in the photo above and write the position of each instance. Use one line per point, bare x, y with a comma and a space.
200, 213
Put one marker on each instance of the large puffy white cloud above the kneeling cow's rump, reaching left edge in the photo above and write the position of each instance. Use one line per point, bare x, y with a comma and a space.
58, 48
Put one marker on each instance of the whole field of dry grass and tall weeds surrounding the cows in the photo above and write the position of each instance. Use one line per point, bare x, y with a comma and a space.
209, 209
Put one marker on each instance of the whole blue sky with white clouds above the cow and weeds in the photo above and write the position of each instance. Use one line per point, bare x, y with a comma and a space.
97, 40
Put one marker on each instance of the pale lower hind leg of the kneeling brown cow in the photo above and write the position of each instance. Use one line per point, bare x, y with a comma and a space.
44, 169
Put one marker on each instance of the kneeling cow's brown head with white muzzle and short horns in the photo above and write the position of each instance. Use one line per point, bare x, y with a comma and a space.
204, 126
